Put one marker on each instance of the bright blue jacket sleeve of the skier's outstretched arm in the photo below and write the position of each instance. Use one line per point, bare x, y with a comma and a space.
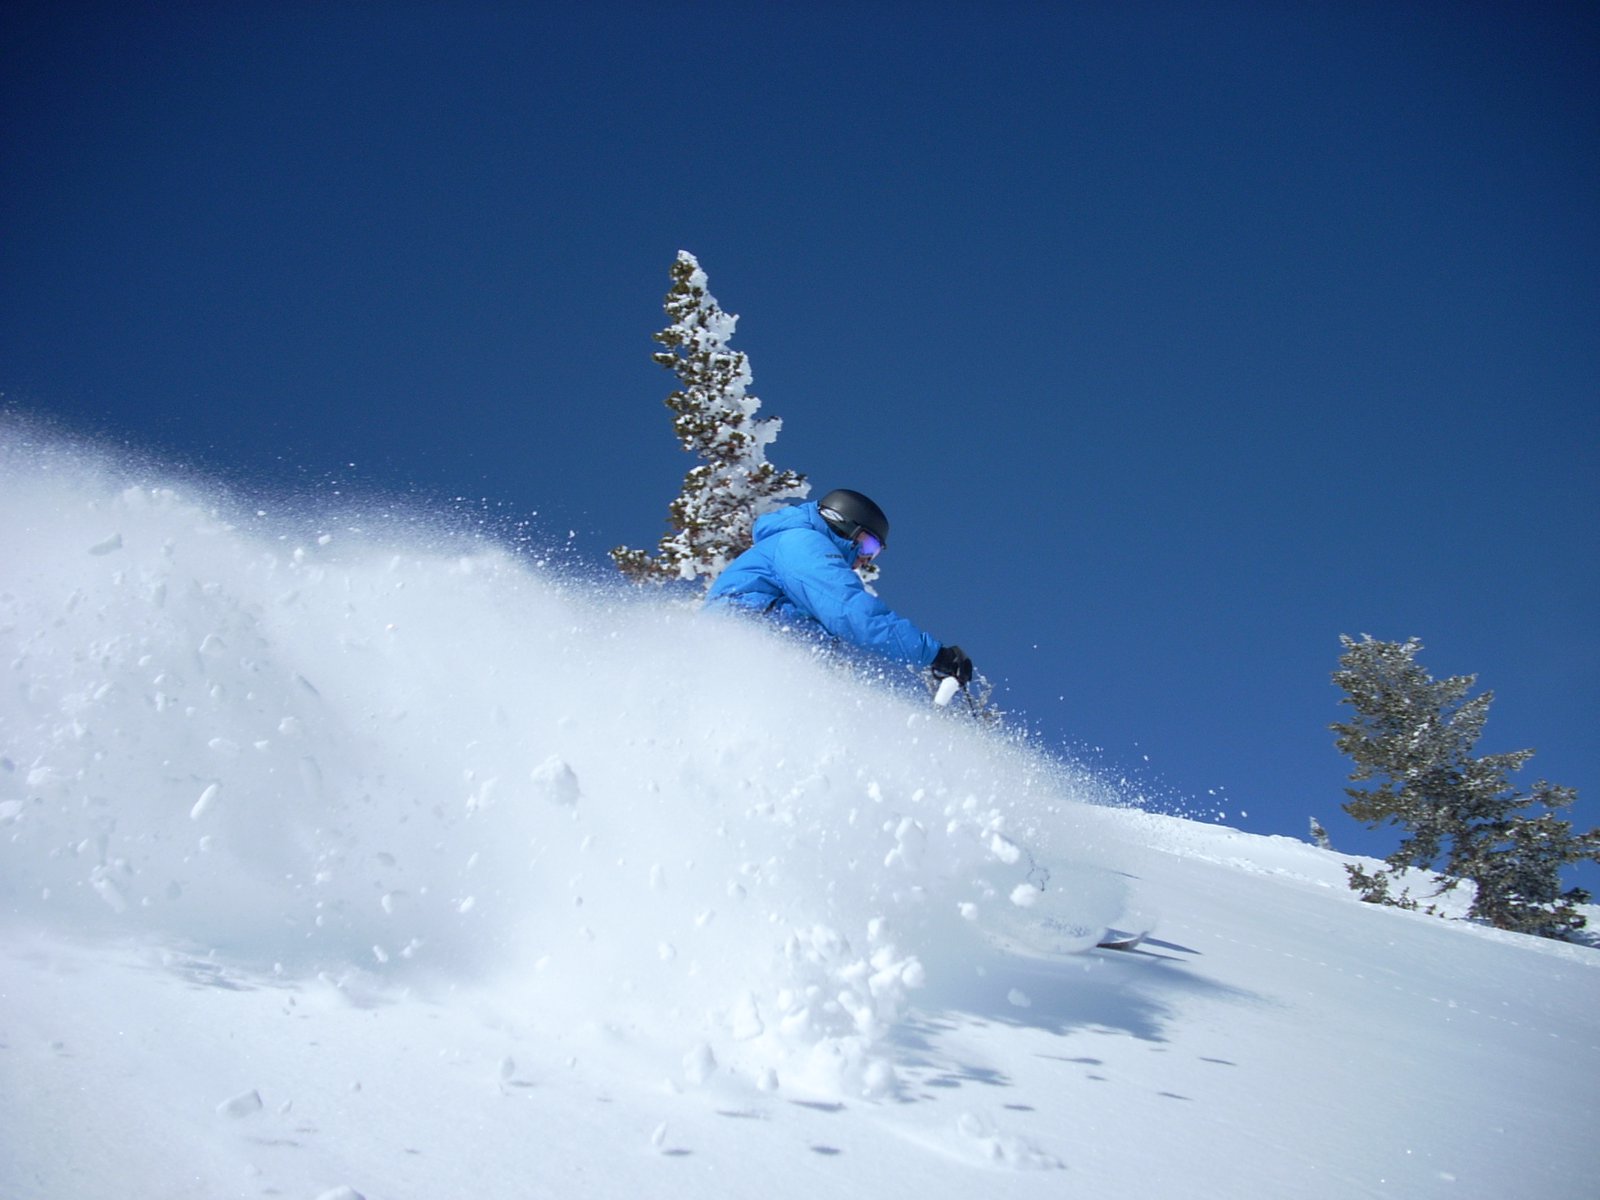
815, 575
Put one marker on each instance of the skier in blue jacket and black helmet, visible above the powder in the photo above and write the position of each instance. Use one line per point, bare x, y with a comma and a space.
801, 572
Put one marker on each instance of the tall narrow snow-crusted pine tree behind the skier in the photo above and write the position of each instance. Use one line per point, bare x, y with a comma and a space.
714, 417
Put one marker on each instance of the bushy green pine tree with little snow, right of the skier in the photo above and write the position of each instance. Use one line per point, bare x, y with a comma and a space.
1460, 812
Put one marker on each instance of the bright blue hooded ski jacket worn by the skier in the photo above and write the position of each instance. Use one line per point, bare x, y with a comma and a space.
801, 572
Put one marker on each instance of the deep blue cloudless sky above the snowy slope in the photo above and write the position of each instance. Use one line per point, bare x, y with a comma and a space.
1177, 338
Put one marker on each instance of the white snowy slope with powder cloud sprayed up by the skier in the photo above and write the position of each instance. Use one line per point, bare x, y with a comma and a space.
350, 860
